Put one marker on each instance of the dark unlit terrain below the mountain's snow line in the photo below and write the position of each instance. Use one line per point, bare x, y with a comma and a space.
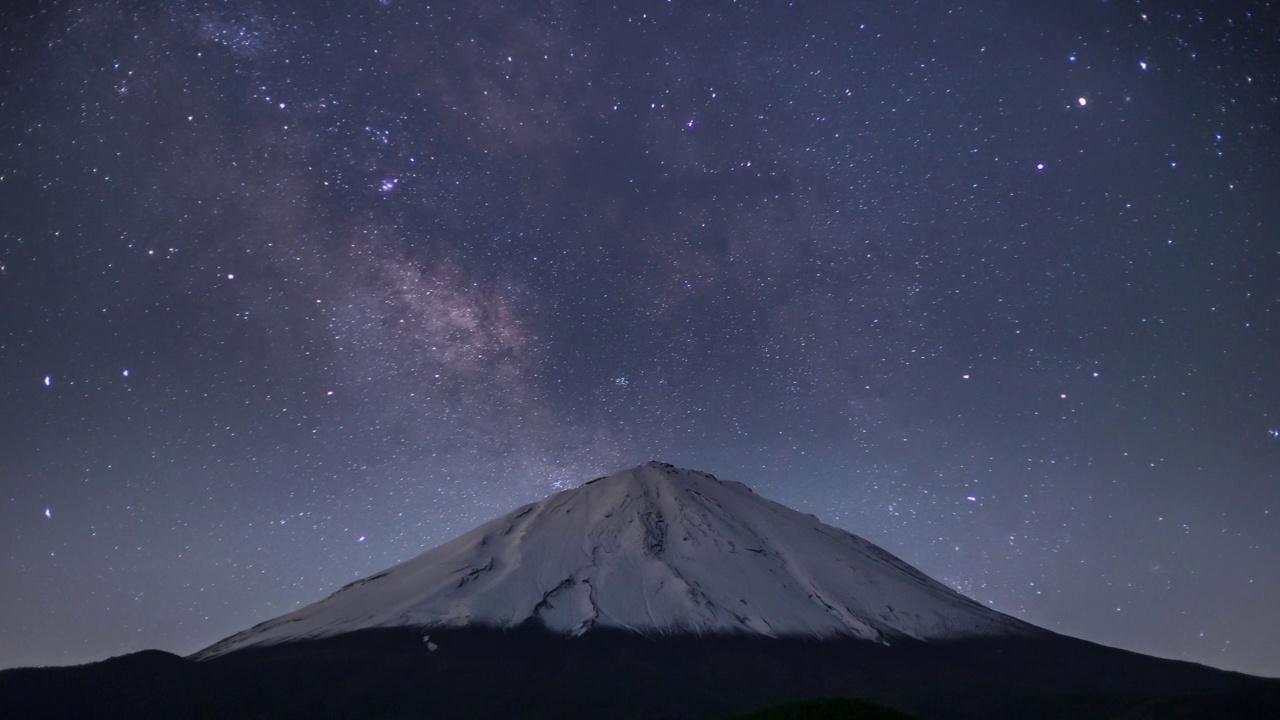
529, 673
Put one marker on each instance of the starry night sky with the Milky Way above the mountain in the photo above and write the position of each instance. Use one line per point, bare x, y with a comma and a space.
292, 293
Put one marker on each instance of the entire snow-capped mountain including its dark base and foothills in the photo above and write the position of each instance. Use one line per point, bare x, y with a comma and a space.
655, 593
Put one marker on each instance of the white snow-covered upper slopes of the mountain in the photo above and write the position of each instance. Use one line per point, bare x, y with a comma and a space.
652, 550
